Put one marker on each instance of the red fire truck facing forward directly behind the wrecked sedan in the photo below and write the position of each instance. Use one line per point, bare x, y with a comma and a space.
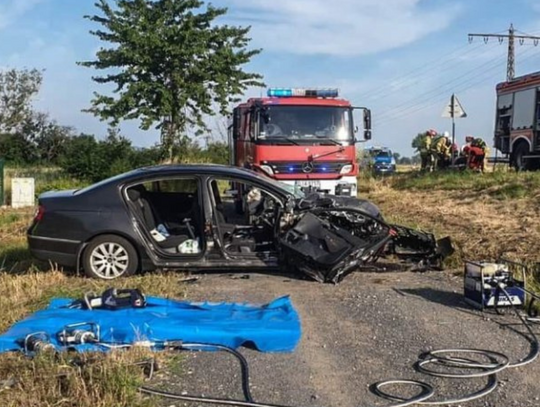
303, 137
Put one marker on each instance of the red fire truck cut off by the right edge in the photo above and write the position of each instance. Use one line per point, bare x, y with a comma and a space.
517, 124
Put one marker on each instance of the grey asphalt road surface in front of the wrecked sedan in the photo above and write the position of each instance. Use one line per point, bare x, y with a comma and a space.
369, 328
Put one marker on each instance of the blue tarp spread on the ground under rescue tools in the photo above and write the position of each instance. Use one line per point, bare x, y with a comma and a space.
273, 327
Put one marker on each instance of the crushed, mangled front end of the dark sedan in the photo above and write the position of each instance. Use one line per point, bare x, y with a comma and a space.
328, 237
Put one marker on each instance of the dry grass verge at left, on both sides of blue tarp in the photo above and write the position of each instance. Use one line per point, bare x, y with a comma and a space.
26, 286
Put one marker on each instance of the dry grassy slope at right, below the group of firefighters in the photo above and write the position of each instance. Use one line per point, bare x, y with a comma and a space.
482, 224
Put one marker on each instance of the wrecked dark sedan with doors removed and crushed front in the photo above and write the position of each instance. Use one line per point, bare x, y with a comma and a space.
210, 217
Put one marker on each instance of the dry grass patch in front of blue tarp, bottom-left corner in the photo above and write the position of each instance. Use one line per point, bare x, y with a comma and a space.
87, 380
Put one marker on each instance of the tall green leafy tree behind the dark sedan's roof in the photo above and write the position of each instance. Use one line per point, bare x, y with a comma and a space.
171, 62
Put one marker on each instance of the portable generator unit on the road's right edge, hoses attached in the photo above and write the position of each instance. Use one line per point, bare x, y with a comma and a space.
483, 282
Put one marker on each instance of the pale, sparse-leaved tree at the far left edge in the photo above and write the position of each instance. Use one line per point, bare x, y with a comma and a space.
17, 88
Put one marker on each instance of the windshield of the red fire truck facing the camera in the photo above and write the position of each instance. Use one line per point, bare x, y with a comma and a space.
306, 123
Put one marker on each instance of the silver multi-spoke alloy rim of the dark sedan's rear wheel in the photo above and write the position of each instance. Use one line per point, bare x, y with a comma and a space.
109, 260
